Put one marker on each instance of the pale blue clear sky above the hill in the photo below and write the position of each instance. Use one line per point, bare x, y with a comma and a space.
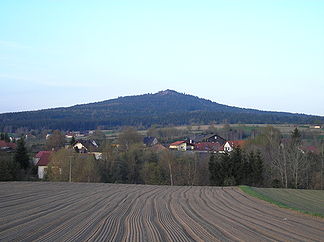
267, 55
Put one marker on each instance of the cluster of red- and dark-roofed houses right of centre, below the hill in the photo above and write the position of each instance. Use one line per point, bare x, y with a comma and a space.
211, 143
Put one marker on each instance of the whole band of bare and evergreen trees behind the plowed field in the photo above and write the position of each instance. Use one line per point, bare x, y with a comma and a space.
268, 159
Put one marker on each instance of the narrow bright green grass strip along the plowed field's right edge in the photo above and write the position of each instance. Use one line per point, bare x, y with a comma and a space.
249, 190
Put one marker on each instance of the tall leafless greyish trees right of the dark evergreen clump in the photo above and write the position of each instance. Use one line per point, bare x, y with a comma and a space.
287, 162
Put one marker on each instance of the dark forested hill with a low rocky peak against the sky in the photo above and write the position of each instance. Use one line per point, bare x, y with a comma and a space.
163, 108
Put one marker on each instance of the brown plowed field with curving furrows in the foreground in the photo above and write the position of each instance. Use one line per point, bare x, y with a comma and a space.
111, 212
